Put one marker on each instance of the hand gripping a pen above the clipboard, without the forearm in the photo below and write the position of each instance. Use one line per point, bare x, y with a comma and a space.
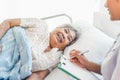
78, 59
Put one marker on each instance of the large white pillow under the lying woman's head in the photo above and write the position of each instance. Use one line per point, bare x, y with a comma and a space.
91, 39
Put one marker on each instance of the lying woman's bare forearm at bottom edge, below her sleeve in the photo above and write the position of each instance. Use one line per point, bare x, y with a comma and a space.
39, 75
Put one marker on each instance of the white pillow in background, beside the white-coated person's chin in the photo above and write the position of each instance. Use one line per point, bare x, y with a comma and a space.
102, 21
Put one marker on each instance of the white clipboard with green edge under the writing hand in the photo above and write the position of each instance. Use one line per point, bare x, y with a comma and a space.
74, 71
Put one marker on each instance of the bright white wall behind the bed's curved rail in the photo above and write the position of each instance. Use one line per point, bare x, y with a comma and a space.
77, 9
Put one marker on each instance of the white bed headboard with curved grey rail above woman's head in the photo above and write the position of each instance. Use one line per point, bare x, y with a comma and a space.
56, 20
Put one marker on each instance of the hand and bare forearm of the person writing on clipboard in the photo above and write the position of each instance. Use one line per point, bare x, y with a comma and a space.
81, 61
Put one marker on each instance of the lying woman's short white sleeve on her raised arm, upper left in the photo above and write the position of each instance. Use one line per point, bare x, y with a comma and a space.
32, 22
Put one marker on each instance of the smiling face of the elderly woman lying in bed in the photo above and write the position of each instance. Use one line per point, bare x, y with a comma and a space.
61, 37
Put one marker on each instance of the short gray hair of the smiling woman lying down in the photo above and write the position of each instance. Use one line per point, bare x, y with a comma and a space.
73, 29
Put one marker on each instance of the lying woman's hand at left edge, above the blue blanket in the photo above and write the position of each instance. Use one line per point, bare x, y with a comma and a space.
4, 27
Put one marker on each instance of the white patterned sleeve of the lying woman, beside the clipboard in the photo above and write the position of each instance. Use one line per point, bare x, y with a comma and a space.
47, 61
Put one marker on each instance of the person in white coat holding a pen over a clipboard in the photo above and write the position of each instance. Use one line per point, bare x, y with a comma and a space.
110, 68
